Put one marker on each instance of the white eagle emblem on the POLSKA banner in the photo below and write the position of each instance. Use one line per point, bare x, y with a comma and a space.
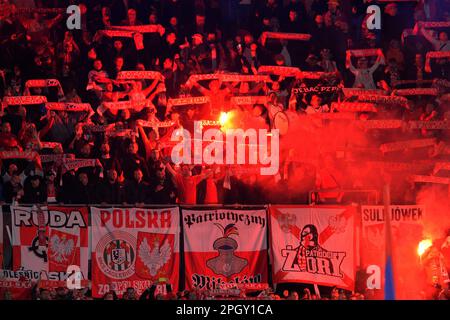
154, 258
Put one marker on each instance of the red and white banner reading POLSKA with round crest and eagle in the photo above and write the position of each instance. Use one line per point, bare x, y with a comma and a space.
133, 247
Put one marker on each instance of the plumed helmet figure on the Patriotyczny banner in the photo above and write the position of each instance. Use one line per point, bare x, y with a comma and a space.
226, 263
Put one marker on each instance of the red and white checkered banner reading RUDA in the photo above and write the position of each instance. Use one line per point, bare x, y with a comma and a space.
47, 241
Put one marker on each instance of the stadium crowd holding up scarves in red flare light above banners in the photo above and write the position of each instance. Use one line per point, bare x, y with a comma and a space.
127, 161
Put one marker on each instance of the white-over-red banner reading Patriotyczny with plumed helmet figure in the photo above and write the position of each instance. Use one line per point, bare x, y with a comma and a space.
224, 246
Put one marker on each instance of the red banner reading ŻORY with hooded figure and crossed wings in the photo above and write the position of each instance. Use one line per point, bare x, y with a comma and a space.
313, 245
